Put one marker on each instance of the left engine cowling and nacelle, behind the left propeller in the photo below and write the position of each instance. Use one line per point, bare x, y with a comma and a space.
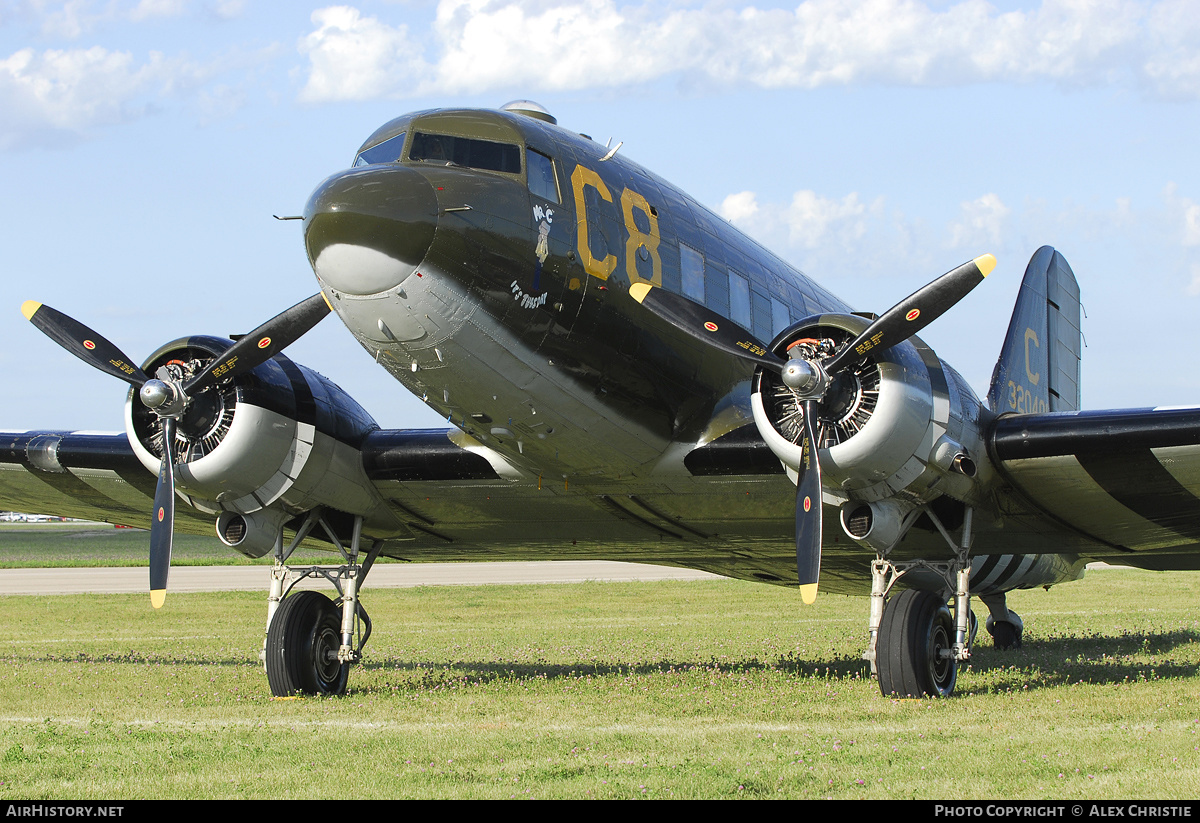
271, 444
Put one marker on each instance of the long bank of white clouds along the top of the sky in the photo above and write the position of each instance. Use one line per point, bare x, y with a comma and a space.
483, 45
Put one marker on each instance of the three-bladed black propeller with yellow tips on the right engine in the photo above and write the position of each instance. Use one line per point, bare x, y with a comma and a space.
811, 380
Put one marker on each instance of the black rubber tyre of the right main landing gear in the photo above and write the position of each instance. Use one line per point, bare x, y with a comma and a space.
916, 629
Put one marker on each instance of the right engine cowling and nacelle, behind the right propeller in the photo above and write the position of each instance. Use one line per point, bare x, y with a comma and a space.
901, 428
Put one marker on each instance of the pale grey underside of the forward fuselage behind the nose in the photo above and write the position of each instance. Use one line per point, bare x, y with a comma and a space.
433, 335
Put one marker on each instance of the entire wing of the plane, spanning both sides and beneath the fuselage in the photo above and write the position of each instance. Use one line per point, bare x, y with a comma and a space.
1119, 485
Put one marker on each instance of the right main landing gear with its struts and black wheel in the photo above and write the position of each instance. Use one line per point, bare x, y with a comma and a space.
917, 641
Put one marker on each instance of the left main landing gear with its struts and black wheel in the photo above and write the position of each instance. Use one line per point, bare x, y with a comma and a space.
313, 641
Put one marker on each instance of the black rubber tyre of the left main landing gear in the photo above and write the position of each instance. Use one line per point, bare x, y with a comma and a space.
302, 647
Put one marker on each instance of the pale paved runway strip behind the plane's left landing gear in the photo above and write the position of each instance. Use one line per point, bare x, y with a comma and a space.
392, 575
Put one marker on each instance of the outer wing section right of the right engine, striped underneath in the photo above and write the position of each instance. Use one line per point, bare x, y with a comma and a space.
1130, 480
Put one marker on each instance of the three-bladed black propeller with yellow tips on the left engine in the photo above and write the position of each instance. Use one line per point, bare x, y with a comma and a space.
169, 399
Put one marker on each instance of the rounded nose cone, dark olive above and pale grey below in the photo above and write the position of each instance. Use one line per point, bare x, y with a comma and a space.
368, 230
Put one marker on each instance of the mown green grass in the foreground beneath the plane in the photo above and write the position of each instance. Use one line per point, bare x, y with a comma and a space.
602, 690
